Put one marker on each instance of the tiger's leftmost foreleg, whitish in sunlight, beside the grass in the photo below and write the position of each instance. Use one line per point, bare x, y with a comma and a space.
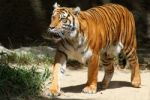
58, 69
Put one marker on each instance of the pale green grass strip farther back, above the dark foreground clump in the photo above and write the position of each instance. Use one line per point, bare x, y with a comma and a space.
24, 58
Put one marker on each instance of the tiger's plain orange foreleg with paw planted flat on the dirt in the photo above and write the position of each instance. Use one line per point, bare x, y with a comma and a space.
93, 66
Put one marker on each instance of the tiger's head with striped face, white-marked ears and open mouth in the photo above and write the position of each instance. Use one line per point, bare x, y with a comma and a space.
64, 22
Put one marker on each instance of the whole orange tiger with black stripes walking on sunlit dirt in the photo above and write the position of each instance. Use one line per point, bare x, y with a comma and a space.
93, 36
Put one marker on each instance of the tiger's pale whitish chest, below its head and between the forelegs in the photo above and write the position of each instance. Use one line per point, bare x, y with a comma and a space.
77, 50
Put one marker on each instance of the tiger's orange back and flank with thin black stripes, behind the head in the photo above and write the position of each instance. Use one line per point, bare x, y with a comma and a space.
111, 24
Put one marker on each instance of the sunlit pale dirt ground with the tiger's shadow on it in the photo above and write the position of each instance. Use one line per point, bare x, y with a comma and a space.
119, 89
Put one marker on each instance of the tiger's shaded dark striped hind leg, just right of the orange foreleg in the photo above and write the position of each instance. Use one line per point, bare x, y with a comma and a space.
107, 62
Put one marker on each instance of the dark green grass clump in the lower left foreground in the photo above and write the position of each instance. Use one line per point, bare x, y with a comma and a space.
21, 81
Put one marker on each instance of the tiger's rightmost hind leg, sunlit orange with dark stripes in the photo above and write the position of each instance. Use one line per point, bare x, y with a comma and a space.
134, 64
